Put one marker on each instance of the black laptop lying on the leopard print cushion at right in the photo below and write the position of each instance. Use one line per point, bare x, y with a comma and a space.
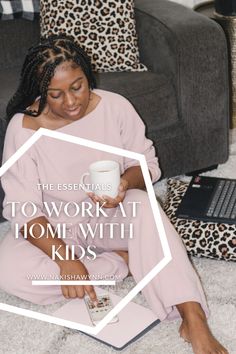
209, 199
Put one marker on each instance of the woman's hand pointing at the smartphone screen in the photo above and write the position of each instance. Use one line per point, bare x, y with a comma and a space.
75, 270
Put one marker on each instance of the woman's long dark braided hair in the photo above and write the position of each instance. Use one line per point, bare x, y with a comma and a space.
38, 70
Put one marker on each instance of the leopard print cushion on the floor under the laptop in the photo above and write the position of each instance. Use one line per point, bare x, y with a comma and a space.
201, 239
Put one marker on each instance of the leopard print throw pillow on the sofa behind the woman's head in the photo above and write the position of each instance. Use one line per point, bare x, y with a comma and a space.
105, 29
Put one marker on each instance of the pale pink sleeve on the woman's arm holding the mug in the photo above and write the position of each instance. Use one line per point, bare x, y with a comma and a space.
132, 130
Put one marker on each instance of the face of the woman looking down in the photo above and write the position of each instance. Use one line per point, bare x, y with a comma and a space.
68, 92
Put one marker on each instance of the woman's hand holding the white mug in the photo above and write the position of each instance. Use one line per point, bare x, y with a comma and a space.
111, 202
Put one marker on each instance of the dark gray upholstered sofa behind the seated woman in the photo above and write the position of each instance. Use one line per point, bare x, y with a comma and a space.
183, 98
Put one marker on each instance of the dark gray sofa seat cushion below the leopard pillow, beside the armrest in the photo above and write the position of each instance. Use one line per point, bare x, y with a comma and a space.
152, 94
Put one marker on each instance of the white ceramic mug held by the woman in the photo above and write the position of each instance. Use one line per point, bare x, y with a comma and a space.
104, 178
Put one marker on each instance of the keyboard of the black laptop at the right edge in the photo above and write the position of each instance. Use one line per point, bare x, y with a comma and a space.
223, 204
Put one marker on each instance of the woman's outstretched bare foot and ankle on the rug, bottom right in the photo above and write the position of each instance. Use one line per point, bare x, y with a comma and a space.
194, 329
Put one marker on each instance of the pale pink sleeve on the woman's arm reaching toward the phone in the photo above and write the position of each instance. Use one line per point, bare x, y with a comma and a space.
23, 200
